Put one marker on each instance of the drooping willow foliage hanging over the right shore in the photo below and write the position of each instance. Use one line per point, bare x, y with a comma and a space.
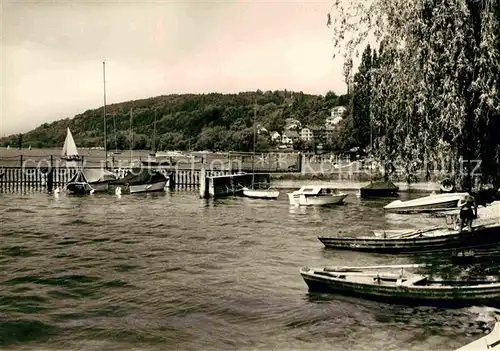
437, 79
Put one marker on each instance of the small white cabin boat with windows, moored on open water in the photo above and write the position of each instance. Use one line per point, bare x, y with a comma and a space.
316, 195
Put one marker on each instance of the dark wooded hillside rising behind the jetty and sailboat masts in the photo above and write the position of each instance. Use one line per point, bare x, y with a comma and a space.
188, 121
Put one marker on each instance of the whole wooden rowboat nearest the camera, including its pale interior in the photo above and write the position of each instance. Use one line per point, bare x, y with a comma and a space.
379, 283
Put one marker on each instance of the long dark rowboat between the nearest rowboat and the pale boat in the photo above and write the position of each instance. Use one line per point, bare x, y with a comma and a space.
421, 240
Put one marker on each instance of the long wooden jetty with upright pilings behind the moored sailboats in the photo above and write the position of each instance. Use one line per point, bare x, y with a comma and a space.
211, 176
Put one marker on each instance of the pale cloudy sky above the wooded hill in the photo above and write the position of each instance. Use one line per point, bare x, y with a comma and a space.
52, 52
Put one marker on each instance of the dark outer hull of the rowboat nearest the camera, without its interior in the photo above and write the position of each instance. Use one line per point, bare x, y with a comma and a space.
409, 294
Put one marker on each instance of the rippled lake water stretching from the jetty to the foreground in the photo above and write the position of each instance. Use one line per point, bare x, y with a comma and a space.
171, 271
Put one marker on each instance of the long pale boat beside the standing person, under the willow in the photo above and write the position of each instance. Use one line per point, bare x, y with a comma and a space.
430, 203
